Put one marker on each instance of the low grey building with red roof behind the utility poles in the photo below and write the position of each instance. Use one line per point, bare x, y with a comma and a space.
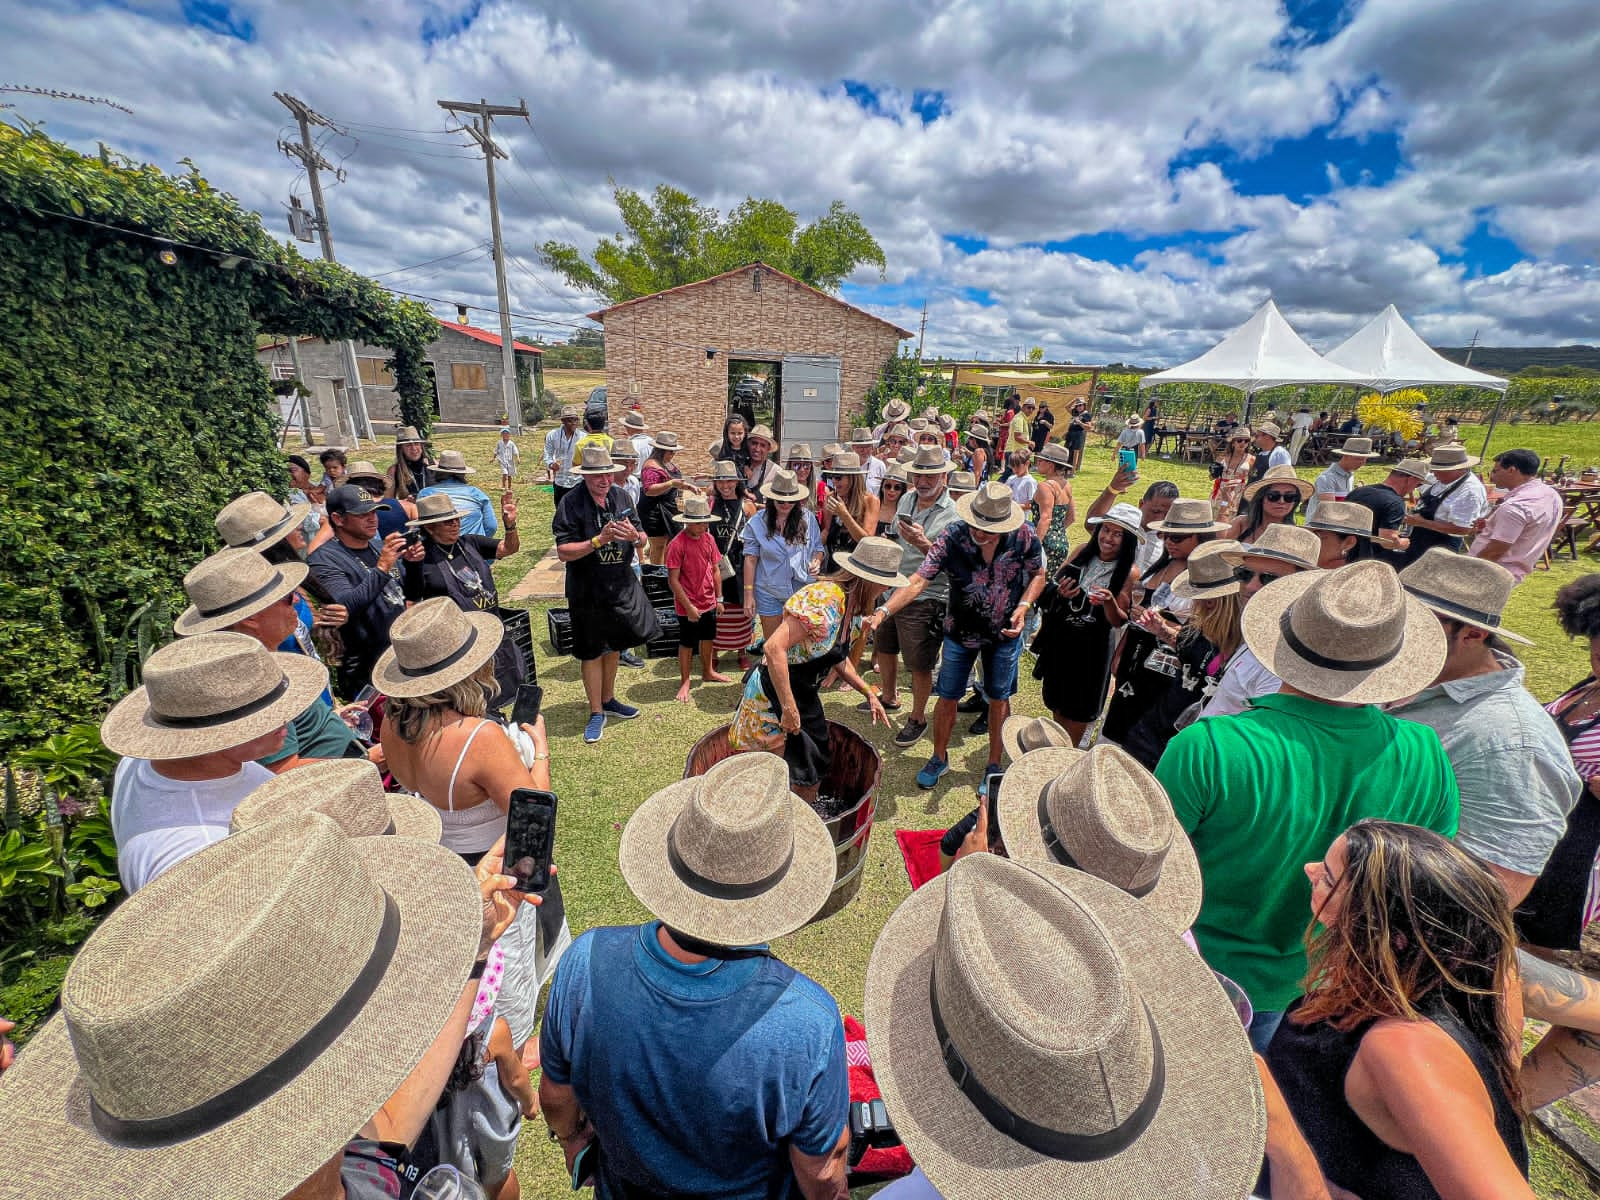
466, 366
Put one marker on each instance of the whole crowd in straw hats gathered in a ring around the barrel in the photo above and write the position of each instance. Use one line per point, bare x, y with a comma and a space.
1257, 910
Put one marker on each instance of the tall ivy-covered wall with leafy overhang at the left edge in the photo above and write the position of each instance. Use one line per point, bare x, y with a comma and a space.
134, 401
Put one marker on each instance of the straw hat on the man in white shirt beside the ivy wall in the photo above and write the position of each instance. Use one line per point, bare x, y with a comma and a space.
209, 694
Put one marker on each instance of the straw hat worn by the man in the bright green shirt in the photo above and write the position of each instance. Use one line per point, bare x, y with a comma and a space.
1351, 636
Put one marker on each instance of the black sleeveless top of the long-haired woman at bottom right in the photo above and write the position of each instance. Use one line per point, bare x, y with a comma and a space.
1310, 1065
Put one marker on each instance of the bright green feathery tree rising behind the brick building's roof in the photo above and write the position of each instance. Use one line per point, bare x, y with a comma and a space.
673, 239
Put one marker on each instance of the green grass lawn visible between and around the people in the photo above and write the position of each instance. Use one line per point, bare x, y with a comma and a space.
602, 785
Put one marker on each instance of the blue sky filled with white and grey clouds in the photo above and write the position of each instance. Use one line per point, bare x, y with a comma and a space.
1111, 180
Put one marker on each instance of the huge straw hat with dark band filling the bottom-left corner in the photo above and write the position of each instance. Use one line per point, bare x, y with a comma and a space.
274, 991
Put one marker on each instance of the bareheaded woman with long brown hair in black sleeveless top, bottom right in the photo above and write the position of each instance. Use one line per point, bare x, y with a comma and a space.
1401, 1063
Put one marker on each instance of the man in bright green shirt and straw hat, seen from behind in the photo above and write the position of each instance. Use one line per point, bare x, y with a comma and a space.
1266, 791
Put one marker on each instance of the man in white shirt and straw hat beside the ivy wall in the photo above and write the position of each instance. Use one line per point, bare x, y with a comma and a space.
210, 706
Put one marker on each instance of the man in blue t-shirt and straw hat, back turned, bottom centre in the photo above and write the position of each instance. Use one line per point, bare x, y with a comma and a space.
681, 1057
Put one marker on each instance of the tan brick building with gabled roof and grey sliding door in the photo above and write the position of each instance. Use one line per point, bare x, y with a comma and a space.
679, 353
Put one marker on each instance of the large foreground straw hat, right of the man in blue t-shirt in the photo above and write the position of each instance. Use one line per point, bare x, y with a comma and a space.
1041, 1034
